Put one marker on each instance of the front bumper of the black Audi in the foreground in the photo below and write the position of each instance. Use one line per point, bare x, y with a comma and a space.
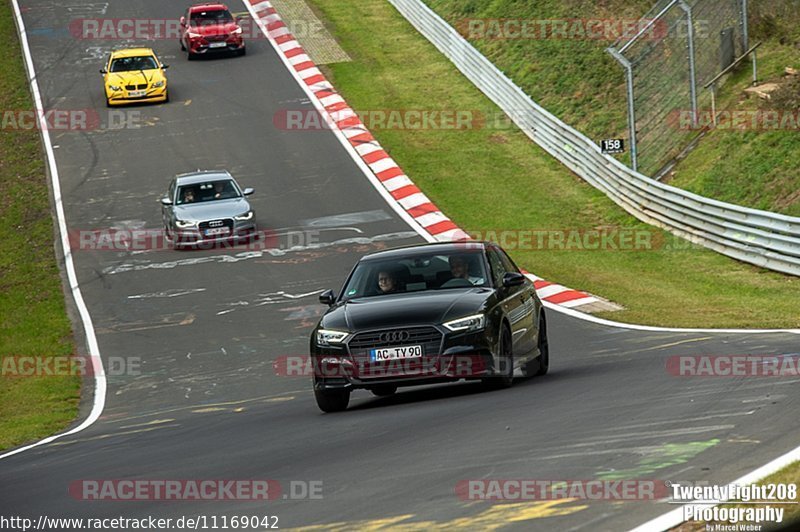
461, 356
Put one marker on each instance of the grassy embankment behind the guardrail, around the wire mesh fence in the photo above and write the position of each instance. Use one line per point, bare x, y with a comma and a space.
579, 82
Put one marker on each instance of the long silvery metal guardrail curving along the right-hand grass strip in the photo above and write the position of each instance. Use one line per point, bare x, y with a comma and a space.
762, 238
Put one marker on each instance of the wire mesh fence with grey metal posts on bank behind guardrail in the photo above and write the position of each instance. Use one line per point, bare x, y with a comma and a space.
682, 46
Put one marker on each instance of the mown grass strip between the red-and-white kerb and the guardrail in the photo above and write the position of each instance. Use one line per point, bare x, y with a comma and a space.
499, 180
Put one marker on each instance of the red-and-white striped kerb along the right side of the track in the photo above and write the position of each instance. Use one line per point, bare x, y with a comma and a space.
388, 172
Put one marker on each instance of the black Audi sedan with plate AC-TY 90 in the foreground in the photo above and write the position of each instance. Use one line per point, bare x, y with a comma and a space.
428, 314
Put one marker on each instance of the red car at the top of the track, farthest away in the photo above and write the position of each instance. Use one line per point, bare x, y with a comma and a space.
208, 29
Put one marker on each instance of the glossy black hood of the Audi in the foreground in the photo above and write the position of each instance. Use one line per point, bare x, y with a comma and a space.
397, 310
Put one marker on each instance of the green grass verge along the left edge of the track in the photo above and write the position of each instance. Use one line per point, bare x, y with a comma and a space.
33, 319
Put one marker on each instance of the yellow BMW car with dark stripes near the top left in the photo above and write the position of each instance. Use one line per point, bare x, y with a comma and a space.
134, 75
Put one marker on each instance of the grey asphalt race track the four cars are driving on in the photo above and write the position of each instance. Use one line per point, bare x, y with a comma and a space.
207, 326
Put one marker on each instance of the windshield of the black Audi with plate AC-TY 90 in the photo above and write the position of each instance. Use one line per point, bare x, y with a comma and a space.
418, 273
